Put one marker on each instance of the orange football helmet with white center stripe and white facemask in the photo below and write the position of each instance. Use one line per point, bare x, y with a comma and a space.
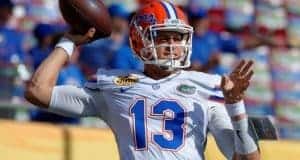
152, 18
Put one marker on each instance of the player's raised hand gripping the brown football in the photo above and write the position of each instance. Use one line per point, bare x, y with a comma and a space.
79, 39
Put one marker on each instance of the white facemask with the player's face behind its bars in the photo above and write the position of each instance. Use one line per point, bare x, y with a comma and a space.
179, 52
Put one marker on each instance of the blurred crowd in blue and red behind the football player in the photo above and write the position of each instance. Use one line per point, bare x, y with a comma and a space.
225, 31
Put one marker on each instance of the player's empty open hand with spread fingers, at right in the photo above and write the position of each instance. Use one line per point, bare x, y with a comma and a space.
236, 83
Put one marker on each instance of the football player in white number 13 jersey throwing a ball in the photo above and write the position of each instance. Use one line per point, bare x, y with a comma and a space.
163, 112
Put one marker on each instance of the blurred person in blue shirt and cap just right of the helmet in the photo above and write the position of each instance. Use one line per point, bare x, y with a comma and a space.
209, 45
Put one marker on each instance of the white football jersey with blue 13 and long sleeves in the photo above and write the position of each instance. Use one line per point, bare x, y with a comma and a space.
153, 119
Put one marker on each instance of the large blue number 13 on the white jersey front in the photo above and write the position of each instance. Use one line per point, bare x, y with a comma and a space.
172, 136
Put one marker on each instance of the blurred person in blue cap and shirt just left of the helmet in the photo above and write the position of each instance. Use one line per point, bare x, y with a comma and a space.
112, 52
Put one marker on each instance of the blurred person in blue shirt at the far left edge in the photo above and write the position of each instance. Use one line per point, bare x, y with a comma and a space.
13, 72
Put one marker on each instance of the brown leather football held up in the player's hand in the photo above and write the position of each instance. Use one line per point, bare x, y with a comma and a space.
84, 14
